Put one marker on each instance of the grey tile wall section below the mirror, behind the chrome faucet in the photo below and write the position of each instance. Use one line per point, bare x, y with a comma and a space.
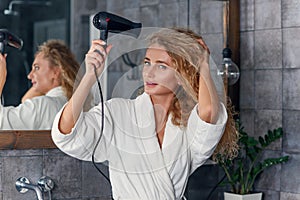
74, 179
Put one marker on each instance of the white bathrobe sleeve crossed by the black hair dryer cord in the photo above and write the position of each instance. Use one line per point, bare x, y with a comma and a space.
86, 135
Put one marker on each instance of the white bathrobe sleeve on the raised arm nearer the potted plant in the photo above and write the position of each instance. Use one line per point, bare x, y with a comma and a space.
203, 137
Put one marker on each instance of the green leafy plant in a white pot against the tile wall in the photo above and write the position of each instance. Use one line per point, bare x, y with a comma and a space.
242, 171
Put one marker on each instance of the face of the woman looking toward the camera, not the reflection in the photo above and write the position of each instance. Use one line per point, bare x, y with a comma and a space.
158, 72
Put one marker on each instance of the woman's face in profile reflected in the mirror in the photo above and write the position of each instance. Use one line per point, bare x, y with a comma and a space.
43, 76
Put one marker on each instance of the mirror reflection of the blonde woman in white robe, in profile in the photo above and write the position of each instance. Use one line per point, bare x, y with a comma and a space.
53, 73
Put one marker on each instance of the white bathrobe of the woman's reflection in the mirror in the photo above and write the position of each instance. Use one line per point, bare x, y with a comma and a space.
33, 114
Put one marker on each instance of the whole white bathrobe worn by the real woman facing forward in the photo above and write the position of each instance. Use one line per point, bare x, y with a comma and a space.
138, 167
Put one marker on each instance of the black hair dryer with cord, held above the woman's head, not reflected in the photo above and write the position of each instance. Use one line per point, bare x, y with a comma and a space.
108, 22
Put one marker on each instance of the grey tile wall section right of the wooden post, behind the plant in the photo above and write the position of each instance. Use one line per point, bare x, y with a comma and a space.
269, 94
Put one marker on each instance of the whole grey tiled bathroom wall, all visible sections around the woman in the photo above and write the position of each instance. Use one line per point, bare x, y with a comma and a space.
269, 93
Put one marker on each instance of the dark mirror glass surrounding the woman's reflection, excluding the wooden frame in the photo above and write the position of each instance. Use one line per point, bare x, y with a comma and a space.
34, 21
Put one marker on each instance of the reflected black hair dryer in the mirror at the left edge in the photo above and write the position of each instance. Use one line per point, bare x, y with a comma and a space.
9, 39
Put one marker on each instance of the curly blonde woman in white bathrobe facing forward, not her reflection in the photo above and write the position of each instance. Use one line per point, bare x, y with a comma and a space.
154, 142
